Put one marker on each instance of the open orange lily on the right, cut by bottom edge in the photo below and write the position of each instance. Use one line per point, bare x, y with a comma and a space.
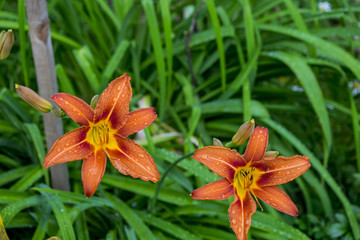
250, 173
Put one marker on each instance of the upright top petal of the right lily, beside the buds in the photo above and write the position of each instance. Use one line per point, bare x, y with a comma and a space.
257, 145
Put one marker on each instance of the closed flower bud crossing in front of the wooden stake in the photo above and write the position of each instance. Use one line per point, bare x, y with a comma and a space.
33, 99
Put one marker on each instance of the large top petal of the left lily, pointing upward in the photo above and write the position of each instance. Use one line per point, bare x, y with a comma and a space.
114, 102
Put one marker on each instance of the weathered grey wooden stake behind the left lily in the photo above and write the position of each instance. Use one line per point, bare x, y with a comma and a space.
39, 30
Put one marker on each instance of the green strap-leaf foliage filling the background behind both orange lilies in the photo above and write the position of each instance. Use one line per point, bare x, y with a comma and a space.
207, 66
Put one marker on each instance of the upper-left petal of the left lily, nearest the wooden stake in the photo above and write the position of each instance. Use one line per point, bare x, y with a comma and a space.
74, 107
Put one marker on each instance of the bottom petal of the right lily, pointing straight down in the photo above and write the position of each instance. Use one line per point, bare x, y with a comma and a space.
240, 212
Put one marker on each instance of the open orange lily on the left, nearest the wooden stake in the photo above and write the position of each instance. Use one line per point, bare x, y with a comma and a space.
103, 132
